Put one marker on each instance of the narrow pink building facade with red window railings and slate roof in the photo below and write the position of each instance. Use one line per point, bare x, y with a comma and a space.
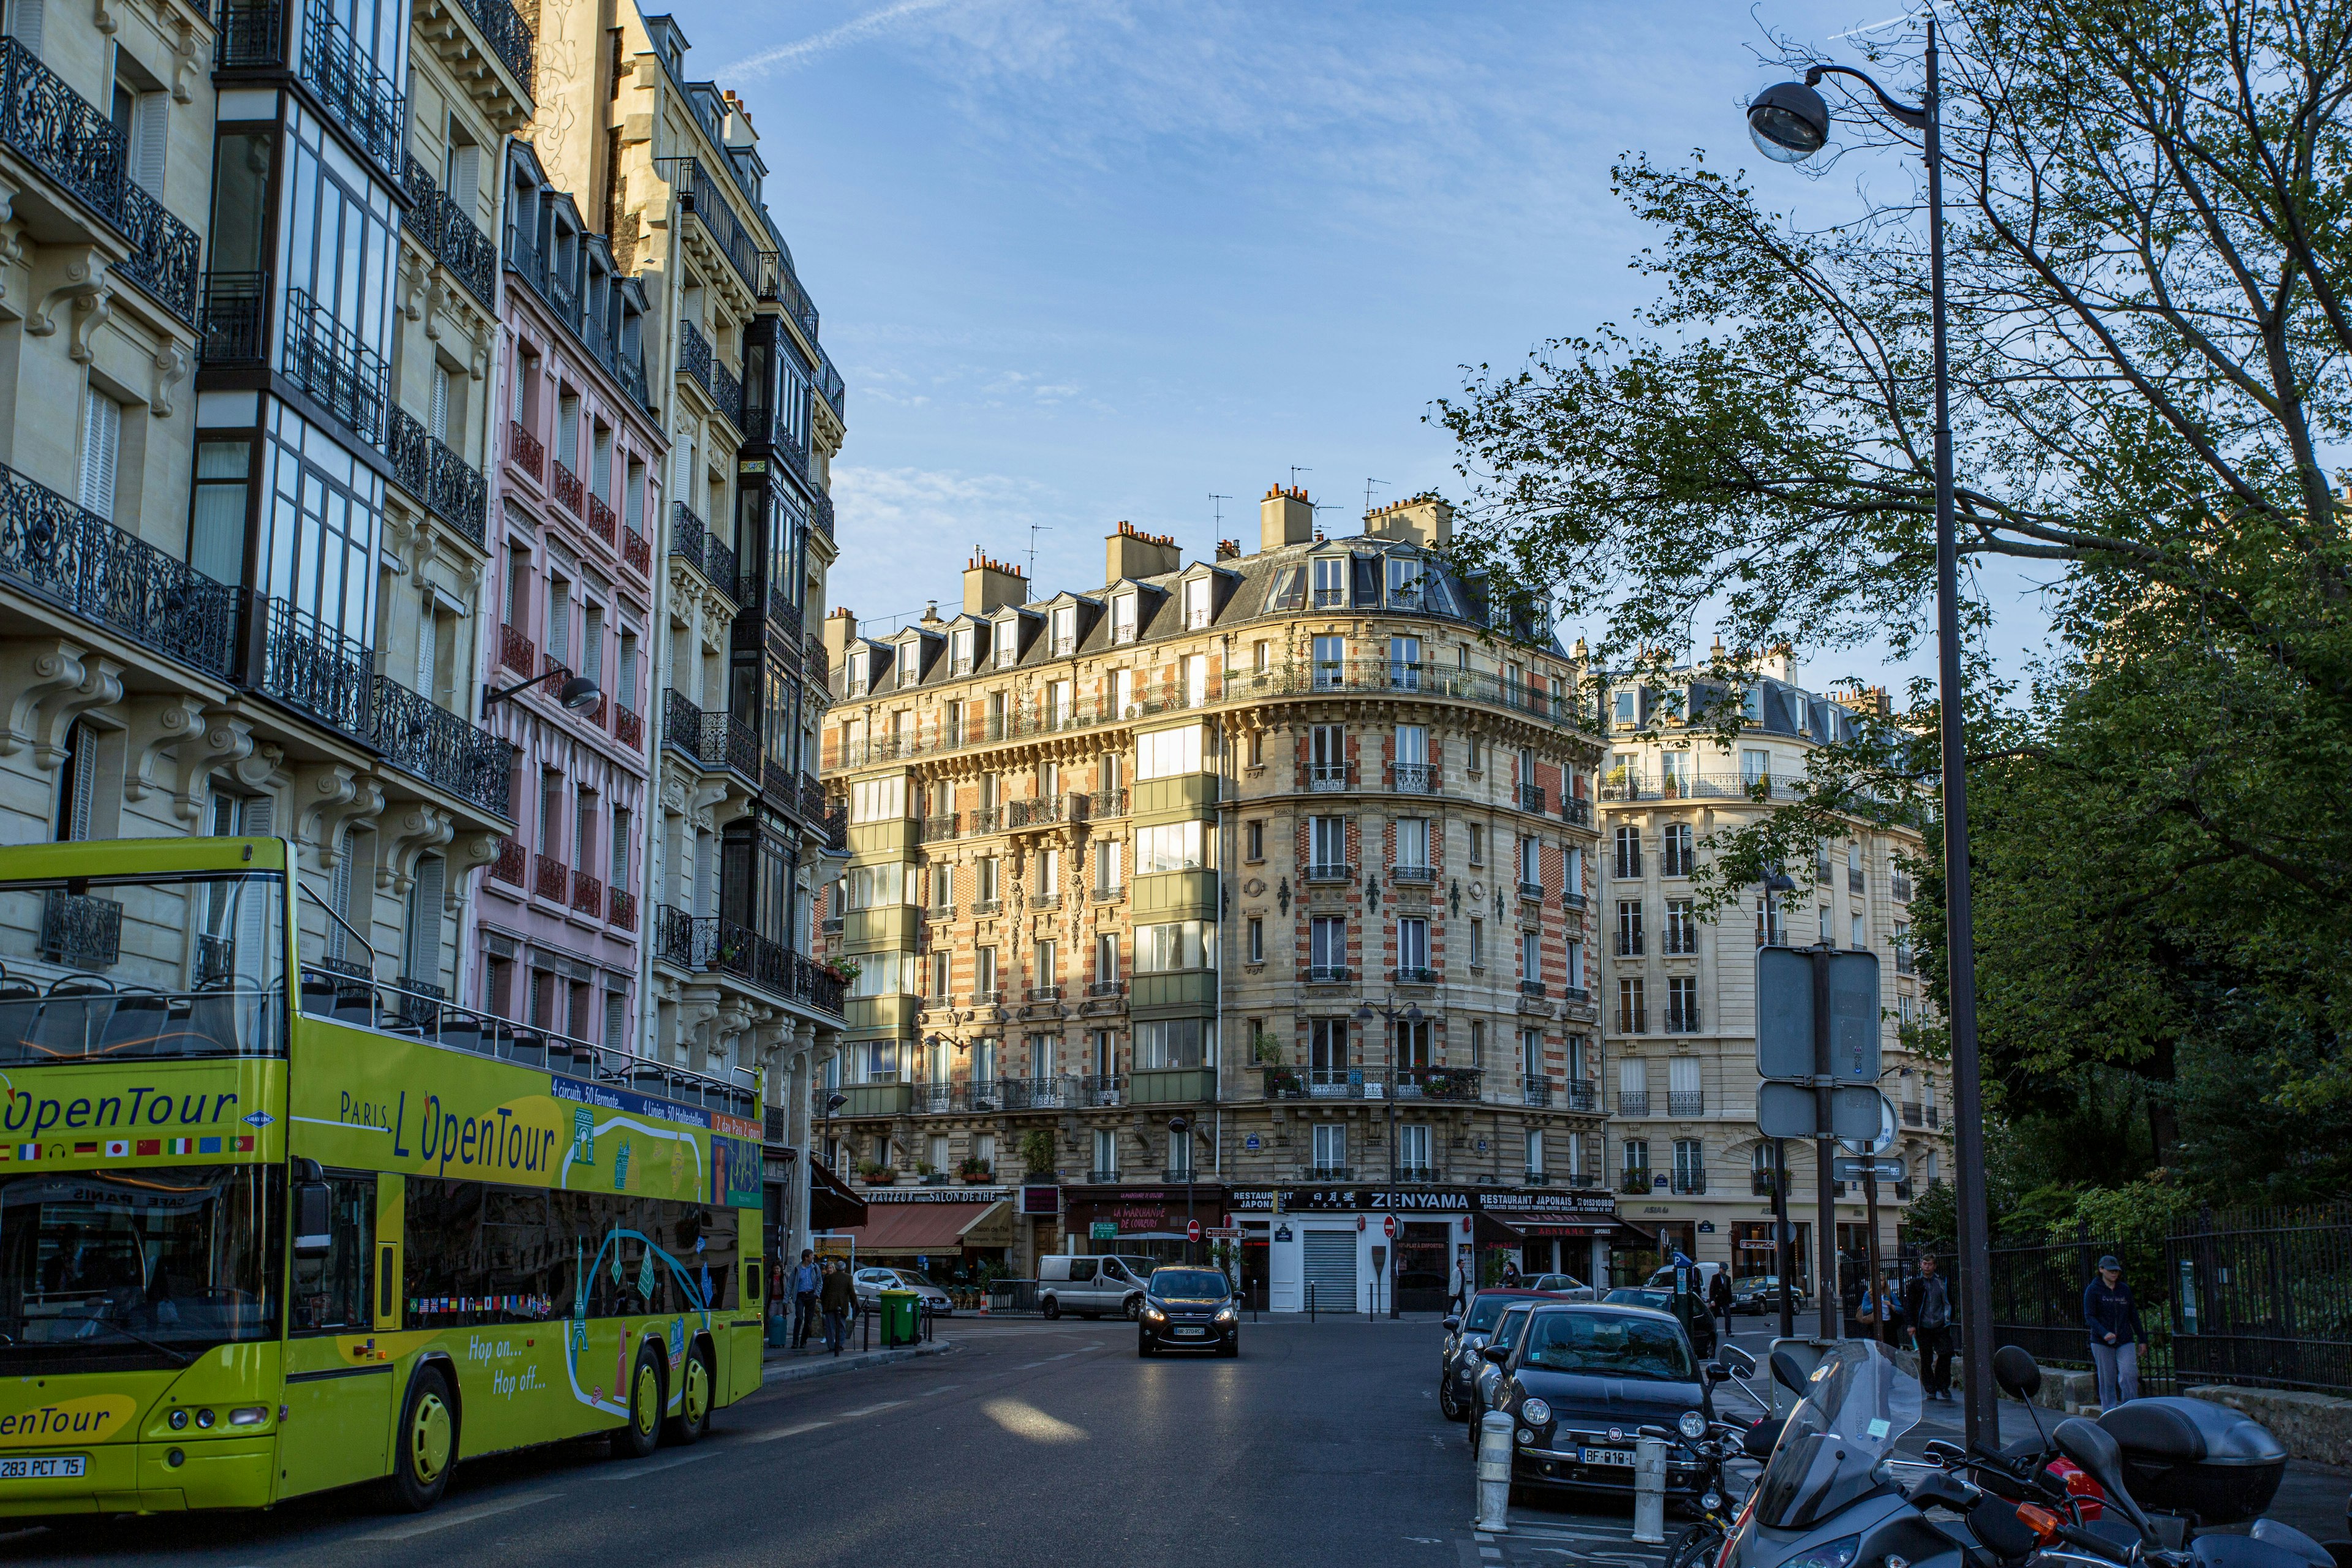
559, 925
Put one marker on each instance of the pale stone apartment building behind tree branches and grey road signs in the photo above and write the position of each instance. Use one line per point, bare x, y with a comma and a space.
1681, 991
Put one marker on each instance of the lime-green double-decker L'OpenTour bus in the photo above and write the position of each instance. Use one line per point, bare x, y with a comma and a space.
272, 1224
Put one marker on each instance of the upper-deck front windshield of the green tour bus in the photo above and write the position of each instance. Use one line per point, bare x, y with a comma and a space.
142, 967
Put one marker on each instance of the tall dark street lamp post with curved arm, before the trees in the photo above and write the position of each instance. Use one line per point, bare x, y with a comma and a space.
1793, 123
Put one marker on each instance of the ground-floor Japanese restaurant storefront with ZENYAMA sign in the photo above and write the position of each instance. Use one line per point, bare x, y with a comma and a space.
1370, 1249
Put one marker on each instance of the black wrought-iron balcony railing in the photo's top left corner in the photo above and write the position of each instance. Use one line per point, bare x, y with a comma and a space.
69, 140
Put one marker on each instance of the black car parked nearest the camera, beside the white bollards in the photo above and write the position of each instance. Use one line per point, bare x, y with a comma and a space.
1584, 1381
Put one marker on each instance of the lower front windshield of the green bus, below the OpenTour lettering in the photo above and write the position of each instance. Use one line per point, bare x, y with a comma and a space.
138, 1268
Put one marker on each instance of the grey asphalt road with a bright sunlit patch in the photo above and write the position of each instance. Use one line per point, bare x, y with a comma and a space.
1027, 1445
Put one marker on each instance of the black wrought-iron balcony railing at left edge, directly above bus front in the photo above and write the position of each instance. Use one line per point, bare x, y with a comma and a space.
86, 565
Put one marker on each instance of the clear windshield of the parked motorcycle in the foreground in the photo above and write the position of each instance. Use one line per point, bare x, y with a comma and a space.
1850, 1419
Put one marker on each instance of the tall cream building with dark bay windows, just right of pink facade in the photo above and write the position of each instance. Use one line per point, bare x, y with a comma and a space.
737, 514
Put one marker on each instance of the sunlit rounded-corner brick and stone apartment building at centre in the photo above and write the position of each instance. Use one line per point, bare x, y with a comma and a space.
1250, 892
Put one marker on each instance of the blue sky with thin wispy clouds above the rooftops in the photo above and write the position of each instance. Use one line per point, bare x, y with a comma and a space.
1102, 260
